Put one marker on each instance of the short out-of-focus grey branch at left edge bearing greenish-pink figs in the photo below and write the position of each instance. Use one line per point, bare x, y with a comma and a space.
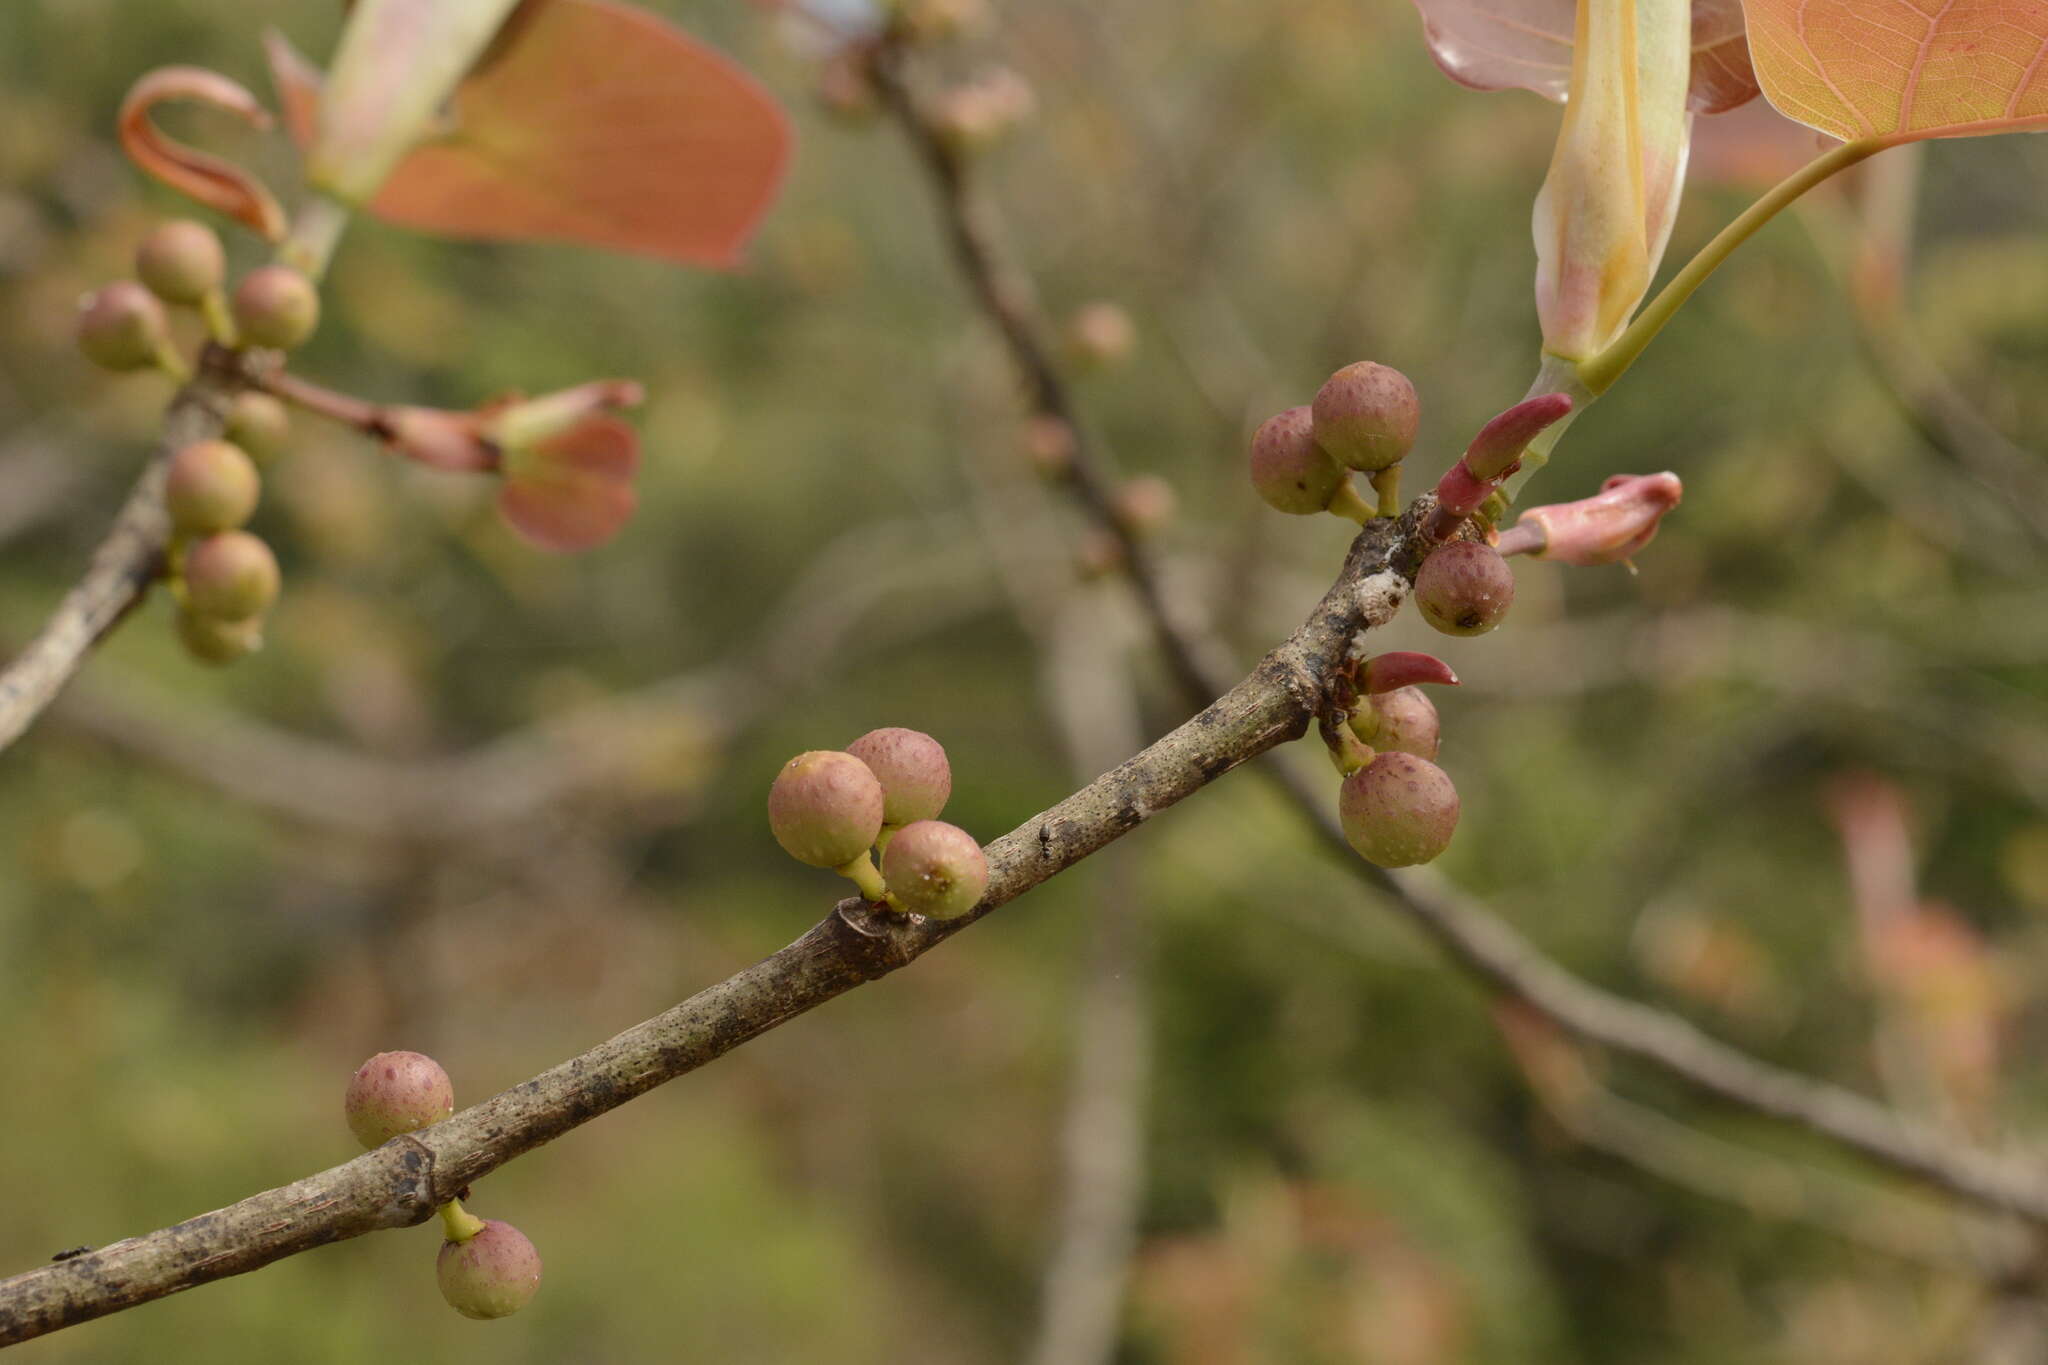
126, 562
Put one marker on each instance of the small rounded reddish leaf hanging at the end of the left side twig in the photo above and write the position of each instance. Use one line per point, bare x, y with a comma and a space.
574, 490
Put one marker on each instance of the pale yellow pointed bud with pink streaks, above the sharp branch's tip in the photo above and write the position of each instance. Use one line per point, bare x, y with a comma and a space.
1609, 202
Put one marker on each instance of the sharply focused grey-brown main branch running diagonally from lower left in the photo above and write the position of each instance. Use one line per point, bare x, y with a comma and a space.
402, 1182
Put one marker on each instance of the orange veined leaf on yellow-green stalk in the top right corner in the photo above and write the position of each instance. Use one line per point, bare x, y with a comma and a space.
1900, 71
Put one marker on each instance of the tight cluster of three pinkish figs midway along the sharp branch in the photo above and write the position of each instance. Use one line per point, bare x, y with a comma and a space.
884, 793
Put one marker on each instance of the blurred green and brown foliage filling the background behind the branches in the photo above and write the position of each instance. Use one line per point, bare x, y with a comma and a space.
497, 805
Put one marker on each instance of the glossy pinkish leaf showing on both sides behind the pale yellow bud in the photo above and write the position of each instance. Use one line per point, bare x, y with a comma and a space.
1527, 46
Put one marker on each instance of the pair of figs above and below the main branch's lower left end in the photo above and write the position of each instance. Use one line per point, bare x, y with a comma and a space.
486, 1268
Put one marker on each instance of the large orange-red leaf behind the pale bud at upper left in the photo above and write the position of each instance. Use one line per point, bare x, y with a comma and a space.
591, 124
